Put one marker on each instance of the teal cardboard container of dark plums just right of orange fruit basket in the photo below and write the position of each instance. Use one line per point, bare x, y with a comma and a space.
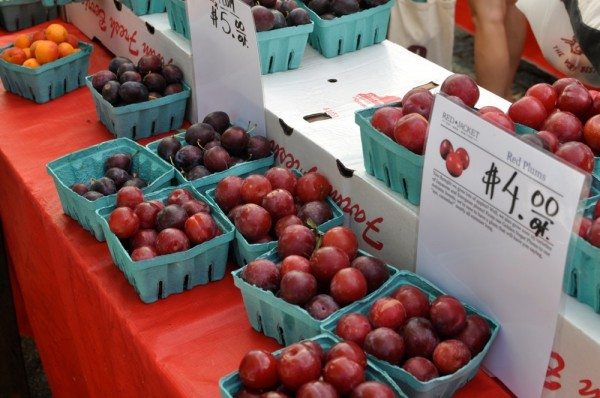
144, 119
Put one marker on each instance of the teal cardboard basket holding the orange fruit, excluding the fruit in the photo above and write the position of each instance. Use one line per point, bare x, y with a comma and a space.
48, 81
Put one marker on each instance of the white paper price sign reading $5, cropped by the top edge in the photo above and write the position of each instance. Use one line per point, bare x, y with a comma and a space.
226, 65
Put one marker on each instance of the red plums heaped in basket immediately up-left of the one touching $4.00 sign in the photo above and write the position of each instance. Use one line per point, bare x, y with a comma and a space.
320, 279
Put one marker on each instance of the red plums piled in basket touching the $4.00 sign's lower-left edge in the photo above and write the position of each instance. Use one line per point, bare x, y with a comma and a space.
426, 339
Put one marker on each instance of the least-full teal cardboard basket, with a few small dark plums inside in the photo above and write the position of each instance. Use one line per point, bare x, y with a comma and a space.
88, 163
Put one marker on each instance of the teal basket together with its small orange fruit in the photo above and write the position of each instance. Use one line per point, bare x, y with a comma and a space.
44, 65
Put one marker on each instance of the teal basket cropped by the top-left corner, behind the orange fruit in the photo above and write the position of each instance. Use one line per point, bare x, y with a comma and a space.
21, 14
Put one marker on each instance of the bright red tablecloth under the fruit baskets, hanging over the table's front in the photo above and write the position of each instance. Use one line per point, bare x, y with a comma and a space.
95, 337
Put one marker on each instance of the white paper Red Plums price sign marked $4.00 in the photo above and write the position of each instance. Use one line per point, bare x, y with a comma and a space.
495, 220
